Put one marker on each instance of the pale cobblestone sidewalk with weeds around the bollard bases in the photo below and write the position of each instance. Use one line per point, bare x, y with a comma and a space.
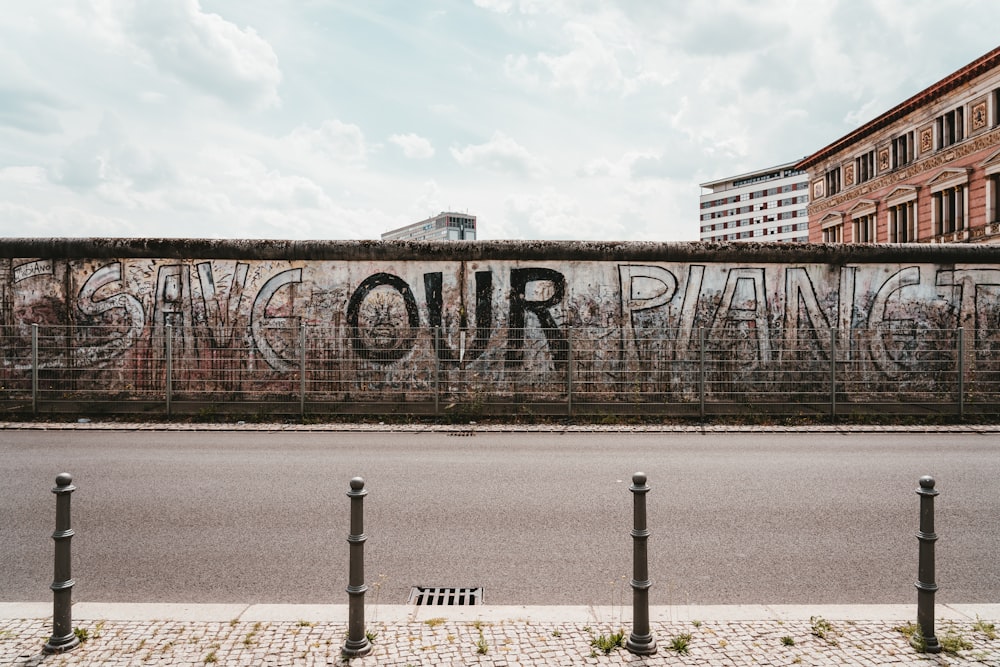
503, 643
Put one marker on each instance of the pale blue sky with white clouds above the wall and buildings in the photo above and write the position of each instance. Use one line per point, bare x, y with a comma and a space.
341, 119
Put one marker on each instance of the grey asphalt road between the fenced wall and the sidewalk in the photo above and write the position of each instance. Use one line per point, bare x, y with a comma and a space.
533, 518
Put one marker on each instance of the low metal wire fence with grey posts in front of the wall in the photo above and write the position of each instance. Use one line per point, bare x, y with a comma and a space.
585, 371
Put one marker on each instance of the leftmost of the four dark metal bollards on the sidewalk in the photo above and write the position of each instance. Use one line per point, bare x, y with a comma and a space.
63, 638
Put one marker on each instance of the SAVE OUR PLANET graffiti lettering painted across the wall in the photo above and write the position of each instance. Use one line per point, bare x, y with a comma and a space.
503, 314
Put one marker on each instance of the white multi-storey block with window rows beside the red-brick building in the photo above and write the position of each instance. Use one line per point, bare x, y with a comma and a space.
764, 205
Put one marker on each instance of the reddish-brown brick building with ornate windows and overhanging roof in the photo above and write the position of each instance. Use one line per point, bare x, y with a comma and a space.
925, 171
